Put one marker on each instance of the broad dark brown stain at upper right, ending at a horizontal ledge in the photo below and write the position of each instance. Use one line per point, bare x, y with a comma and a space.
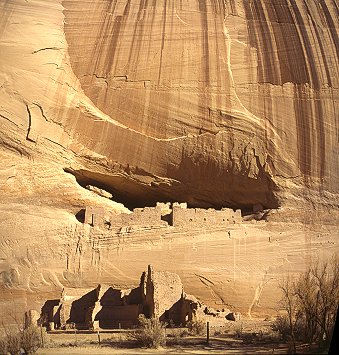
293, 59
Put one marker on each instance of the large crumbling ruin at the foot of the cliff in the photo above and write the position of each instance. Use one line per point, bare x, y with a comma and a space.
160, 294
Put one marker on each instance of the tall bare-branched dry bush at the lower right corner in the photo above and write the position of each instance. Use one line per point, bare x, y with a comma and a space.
310, 304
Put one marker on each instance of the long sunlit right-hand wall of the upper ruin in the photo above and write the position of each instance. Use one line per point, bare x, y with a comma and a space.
198, 217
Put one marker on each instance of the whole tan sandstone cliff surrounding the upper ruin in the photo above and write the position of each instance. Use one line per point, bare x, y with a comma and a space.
217, 103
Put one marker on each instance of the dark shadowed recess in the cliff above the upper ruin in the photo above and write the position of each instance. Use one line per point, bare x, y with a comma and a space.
199, 187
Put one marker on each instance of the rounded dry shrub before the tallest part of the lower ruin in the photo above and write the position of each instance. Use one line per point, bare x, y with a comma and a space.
152, 332
